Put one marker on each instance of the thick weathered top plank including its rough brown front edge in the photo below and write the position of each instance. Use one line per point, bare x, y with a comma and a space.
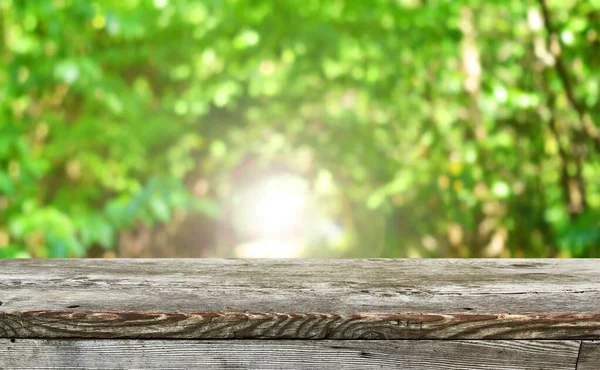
301, 299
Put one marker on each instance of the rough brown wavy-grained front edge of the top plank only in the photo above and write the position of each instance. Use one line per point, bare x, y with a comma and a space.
249, 325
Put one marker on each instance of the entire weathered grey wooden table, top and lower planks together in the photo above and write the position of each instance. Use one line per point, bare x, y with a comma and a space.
311, 314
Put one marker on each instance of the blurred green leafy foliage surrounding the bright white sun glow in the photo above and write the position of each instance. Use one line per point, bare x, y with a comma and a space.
445, 128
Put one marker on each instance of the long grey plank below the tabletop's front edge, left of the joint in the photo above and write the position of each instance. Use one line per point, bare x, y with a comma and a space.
281, 354
